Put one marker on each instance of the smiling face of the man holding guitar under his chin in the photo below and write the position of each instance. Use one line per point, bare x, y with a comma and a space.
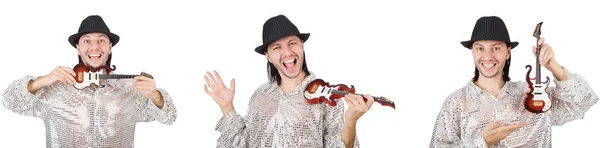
94, 48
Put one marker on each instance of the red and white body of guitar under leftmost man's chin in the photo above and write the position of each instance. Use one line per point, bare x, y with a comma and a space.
86, 77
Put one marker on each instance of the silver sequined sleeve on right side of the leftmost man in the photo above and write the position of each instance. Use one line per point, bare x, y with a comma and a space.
165, 112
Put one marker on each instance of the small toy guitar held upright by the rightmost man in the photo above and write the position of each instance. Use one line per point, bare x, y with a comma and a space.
537, 100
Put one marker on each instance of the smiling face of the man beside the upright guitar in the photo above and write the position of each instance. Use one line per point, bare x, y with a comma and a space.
490, 57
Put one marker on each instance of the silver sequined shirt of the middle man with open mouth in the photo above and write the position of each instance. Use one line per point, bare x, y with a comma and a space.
276, 119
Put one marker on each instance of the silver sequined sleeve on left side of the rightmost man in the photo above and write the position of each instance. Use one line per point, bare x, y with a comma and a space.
447, 130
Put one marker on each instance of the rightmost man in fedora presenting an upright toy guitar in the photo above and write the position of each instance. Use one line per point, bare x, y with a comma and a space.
489, 110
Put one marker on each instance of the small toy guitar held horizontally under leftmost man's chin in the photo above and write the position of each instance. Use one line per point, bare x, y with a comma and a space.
85, 76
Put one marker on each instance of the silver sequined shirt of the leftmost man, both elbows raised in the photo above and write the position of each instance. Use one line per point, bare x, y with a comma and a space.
92, 117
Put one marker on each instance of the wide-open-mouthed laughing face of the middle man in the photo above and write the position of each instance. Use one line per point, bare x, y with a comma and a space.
287, 54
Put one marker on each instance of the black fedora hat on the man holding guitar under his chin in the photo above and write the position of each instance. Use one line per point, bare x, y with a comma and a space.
93, 24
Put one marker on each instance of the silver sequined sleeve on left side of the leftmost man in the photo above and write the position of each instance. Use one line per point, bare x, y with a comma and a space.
19, 100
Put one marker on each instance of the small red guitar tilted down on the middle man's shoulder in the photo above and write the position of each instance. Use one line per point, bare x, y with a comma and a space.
319, 91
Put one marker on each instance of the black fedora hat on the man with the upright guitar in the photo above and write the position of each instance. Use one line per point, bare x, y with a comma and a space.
489, 28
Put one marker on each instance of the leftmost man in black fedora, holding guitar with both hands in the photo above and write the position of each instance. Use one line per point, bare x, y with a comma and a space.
94, 116
